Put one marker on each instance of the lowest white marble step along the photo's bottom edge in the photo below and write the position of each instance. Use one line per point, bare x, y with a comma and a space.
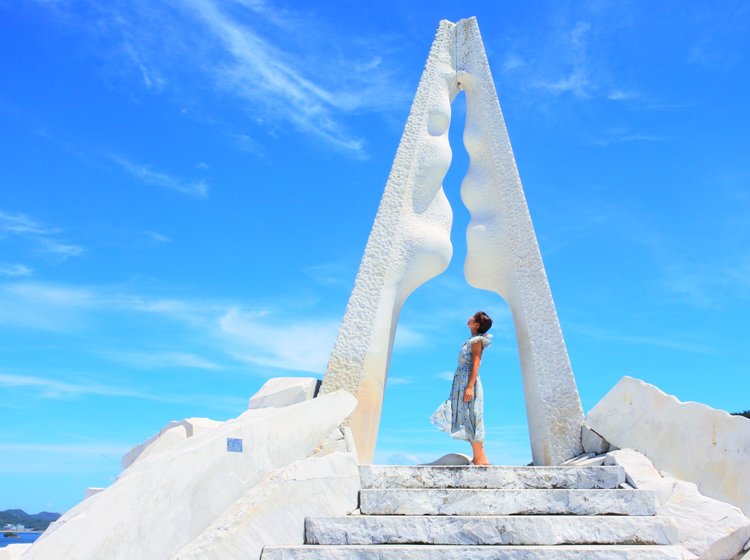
430, 552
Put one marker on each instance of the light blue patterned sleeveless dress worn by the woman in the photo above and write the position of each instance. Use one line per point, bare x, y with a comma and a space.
460, 419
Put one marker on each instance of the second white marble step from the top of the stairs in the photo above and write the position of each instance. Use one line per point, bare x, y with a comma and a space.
438, 501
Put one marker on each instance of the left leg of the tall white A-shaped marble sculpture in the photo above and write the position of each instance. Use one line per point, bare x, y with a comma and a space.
408, 245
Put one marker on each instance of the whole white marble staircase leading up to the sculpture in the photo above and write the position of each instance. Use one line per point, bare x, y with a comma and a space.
452, 512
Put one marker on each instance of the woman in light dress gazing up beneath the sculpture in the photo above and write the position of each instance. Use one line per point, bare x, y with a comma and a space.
462, 415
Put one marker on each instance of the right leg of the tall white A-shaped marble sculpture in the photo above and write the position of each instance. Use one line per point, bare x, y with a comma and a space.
502, 255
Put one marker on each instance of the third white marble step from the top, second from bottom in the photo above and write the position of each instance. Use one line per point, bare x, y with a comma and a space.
489, 530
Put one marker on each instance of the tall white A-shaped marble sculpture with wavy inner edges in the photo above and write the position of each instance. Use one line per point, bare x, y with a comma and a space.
410, 244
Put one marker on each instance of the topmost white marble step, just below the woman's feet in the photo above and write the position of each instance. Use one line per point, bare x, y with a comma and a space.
397, 476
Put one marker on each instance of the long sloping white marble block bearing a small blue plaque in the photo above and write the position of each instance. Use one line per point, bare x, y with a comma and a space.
162, 503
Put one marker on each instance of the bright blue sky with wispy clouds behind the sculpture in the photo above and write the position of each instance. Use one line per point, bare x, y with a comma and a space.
188, 186
